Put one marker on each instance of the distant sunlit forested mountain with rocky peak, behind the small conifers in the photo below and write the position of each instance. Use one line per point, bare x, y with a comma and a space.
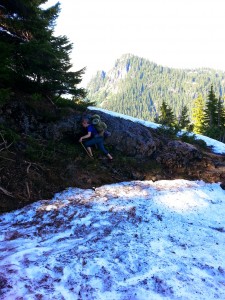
136, 87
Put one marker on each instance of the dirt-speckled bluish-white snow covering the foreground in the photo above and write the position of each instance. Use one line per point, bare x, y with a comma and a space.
139, 240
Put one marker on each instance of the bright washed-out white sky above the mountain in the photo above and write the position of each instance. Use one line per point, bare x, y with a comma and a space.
175, 33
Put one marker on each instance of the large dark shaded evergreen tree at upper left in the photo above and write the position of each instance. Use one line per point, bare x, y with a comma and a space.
36, 60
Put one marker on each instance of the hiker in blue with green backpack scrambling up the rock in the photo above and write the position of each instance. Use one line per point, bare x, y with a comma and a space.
94, 138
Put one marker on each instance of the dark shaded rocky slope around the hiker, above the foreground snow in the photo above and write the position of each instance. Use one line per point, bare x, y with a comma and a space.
40, 158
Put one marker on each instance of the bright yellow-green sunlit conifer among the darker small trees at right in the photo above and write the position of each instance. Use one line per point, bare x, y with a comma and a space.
198, 114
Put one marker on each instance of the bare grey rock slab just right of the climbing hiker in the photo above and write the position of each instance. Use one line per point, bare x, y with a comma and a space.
139, 141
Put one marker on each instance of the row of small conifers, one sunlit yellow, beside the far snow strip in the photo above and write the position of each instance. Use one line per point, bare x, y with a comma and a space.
209, 121
